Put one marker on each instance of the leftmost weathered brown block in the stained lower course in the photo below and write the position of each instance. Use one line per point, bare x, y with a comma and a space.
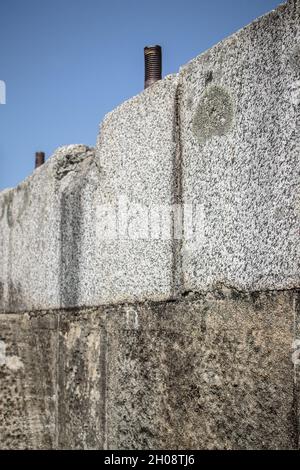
28, 382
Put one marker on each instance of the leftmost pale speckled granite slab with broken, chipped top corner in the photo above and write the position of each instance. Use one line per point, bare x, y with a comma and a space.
36, 231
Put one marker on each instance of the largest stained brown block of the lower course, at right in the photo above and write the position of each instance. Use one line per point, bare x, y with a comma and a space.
213, 372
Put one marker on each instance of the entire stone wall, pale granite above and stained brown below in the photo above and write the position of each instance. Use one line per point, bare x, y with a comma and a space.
149, 288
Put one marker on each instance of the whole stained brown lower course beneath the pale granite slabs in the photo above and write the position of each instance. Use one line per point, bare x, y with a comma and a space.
207, 372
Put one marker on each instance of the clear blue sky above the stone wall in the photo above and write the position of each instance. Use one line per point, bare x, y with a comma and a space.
66, 63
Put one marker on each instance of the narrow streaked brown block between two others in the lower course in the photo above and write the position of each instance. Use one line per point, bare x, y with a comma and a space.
82, 366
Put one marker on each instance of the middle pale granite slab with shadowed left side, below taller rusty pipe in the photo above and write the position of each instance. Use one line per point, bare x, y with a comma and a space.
133, 171
